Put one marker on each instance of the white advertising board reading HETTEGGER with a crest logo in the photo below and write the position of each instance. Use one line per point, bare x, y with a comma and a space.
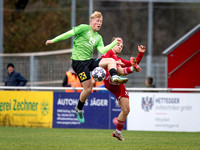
164, 112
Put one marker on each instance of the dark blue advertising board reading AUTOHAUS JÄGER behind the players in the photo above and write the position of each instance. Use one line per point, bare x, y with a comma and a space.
100, 111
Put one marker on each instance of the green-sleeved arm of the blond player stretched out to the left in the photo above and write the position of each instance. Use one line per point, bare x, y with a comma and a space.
61, 37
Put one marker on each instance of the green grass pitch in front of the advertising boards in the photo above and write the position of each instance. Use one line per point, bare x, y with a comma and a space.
16, 138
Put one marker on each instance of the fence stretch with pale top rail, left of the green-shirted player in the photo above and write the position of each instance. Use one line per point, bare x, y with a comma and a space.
46, 68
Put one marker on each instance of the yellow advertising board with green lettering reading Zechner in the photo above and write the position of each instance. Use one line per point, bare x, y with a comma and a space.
26, 108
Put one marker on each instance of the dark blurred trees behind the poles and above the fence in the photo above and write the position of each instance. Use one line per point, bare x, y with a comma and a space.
29, 23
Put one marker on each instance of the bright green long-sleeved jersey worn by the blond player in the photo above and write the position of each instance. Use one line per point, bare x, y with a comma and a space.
85, 42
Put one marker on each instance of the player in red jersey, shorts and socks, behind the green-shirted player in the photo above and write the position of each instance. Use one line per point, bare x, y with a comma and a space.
119, 90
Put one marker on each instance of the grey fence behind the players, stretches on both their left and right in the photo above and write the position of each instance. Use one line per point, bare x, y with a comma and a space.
48, 68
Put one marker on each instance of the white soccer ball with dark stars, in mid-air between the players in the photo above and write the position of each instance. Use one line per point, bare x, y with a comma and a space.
99, 74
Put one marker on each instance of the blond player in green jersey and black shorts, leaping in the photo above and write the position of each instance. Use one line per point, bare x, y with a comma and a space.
86, 40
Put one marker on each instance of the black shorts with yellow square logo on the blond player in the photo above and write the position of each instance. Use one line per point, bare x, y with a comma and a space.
83, 68
